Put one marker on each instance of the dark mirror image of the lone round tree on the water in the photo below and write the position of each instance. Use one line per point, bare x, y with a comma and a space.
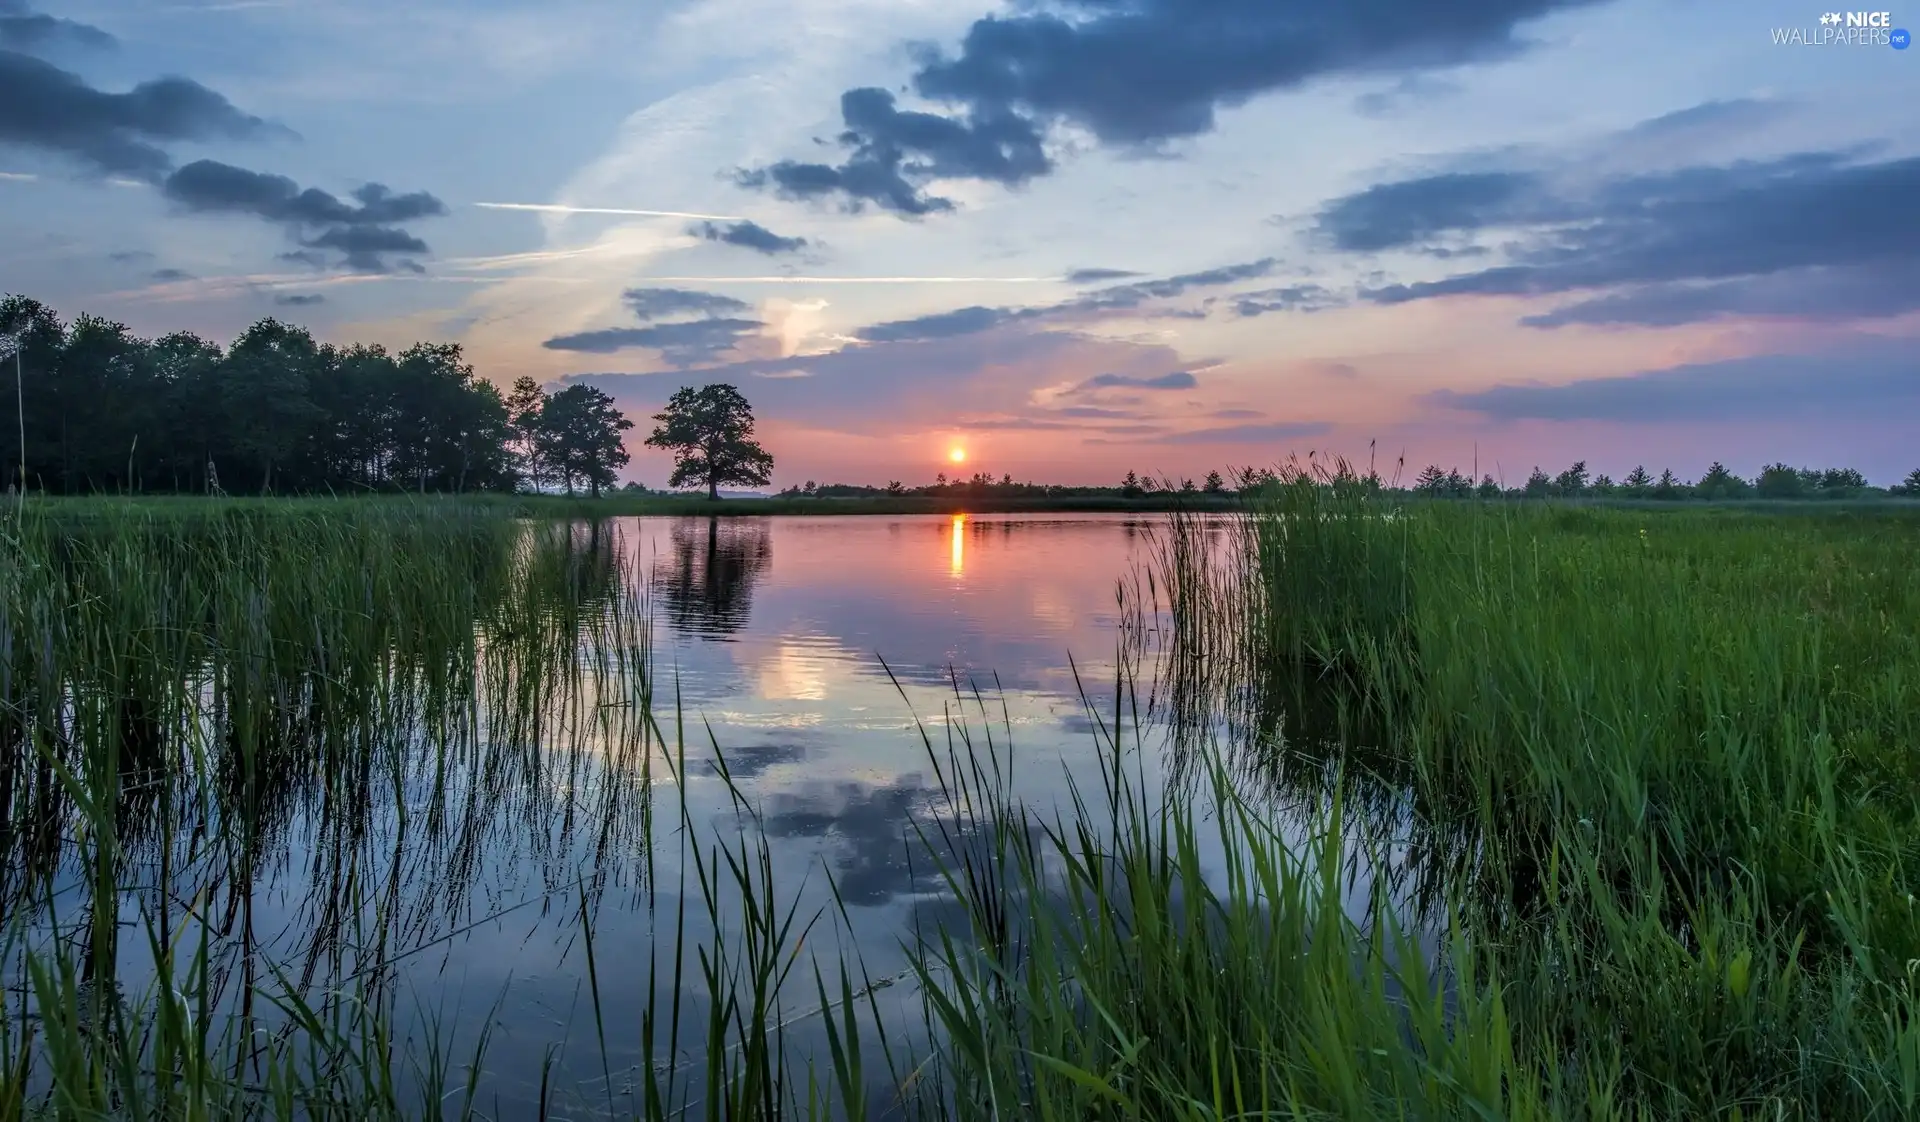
708, 581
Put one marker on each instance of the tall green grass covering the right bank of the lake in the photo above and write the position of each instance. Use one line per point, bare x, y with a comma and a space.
1677, 750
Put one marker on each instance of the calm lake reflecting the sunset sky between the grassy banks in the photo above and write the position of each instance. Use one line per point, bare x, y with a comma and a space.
540, 887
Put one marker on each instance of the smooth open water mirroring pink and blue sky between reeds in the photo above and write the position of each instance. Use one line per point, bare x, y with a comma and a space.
819, 656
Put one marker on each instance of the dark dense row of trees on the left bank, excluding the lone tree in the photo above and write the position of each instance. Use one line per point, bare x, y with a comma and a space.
277, 412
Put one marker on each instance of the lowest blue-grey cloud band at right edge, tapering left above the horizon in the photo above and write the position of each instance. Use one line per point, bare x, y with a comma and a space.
1863, 383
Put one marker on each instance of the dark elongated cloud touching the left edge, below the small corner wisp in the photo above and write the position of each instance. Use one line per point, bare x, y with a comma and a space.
55, 110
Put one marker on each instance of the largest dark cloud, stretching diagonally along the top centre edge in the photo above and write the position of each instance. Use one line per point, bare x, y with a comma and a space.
1134, 74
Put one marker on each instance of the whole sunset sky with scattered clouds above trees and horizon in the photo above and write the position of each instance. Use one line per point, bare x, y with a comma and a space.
1072, 239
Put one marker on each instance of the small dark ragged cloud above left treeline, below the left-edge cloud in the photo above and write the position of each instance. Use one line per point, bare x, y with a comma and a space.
362, 232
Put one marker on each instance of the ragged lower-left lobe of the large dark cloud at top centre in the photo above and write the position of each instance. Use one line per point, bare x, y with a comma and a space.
894, 153
